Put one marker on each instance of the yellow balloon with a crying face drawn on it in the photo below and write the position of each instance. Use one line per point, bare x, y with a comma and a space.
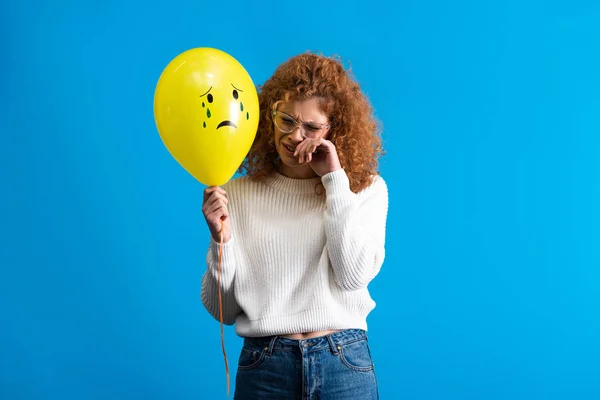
206, 111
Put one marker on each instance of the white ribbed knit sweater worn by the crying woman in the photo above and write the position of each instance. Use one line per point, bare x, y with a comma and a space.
298, 261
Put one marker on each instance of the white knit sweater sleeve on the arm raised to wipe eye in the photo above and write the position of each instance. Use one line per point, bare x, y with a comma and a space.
355, 228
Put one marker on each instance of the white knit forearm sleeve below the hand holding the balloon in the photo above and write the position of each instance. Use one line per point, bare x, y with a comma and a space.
209, 293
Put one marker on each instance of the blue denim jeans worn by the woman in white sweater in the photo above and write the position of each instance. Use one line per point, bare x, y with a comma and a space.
336, 366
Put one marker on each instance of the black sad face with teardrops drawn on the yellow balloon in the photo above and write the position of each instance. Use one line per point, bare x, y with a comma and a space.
223, 107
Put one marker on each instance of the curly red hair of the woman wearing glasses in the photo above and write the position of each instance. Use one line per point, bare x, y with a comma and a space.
353, 129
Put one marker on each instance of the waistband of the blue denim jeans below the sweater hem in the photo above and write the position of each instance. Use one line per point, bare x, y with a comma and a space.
332, 341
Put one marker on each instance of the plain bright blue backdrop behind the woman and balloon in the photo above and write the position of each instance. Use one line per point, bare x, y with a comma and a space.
491, 286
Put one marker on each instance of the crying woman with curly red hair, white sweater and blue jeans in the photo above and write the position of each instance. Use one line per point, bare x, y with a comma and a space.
303, 236
